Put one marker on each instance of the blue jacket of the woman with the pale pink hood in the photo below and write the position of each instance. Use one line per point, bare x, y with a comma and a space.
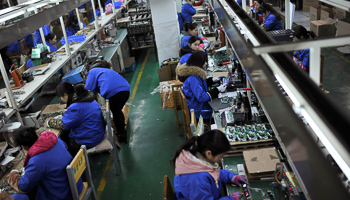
201, 186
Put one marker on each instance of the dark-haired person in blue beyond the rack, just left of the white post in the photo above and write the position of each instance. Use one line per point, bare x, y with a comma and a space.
271, 20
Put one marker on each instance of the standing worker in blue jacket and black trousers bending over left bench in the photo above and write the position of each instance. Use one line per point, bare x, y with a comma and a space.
111, 85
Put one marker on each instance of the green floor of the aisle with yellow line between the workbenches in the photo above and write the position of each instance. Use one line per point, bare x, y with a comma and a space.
152, 141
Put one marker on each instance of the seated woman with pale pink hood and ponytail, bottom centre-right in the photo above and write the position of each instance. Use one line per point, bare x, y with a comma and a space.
197, 172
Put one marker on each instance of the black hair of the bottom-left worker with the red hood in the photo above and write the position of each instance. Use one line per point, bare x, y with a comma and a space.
25, 136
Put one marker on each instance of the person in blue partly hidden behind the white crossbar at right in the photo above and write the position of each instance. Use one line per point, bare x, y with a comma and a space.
302, 57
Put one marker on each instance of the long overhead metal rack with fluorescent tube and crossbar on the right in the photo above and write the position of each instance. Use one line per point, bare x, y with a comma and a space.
264, 61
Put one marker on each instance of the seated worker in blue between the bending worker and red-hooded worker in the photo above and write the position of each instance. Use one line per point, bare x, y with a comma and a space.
83, 117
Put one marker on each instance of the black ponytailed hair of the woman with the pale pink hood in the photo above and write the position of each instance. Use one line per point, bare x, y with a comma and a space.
213, 140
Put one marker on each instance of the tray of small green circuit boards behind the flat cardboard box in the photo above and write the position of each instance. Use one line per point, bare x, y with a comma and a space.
249, 132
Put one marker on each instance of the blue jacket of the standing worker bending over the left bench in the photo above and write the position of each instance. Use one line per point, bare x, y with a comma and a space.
106, 82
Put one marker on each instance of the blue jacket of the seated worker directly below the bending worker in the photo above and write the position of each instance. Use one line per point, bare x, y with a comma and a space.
85, 121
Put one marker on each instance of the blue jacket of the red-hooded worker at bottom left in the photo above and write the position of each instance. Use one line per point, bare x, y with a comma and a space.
47, 170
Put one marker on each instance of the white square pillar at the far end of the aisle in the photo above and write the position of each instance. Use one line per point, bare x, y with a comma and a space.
166, 28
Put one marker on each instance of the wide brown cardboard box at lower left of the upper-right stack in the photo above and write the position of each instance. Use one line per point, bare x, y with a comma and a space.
323, 27
